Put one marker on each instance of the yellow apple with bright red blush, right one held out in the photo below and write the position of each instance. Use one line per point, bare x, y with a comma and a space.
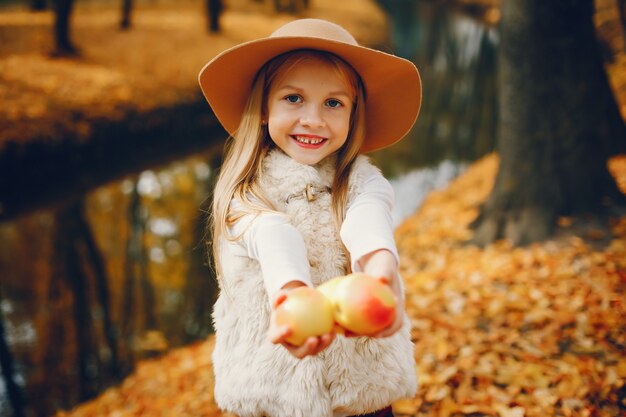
361, 304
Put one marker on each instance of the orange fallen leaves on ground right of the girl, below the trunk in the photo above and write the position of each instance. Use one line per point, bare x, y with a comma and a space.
503, 331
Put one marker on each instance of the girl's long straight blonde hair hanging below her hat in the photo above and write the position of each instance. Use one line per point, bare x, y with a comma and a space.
246, 150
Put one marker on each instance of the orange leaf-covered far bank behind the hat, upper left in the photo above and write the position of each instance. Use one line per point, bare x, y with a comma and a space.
153, 65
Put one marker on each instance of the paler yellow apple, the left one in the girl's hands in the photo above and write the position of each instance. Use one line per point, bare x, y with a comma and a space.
307, 312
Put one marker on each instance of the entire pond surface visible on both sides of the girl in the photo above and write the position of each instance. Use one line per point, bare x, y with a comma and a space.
88, 289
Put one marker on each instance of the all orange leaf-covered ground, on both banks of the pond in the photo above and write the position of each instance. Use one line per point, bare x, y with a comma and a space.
499, 331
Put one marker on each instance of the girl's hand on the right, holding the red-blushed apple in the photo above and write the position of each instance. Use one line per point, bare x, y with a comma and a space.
383, 265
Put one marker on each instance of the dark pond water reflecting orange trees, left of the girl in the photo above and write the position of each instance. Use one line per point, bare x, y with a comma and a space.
154, 290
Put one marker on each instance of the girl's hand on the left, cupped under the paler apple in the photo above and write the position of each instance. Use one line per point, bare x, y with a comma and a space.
278, 334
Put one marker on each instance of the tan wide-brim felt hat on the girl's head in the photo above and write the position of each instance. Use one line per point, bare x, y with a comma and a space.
392, 84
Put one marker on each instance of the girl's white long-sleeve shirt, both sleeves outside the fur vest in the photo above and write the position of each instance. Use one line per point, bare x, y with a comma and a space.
280, 250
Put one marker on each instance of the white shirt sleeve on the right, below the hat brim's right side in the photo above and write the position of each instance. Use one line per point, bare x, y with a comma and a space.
368, 225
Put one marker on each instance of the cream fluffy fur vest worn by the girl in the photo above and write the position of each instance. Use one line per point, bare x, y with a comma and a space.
254, 377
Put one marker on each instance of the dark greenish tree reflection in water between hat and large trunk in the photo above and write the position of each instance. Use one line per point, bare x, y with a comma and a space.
456, 57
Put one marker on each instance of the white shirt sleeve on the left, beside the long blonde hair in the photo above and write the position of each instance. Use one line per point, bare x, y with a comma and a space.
277, 245
